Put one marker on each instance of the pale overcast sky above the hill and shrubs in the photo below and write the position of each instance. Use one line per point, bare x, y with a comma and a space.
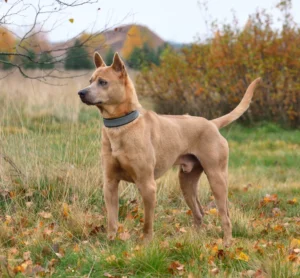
181, 21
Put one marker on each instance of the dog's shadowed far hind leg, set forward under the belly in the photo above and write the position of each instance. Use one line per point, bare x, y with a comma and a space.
189, 186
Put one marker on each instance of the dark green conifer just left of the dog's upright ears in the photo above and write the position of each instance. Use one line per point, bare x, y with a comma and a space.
78, 58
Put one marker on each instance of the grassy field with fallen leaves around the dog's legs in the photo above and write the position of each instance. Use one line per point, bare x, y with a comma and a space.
55, 208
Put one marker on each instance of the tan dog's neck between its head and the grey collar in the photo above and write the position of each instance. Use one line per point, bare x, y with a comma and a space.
130, 103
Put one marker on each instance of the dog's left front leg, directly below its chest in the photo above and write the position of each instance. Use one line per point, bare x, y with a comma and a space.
111, 199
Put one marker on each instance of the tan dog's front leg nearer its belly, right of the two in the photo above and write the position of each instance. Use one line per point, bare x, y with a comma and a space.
148, 192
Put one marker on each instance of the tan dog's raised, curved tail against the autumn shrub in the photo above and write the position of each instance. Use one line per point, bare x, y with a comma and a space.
240, 109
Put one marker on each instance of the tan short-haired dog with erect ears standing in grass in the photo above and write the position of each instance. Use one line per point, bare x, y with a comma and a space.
145, 148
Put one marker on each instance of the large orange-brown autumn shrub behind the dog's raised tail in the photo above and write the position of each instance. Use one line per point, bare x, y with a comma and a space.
210, 78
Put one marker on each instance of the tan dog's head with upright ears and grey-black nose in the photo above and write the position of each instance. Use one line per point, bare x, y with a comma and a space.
107, 84
